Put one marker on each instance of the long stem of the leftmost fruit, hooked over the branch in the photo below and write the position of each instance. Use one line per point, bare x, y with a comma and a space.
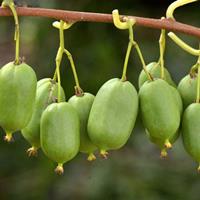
11, 5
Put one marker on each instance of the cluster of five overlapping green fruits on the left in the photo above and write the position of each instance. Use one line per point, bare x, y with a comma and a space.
84, 123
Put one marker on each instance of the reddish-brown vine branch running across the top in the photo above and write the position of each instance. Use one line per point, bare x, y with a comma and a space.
104, 18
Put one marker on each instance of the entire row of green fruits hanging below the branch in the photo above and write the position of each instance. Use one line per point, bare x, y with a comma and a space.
86, 123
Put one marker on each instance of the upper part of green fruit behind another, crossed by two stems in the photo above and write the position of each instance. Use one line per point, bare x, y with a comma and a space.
154, 69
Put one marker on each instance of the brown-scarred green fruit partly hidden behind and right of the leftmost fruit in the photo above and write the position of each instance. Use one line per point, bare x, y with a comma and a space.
47, 92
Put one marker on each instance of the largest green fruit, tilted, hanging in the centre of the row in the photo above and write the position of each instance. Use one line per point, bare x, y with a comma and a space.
113, 114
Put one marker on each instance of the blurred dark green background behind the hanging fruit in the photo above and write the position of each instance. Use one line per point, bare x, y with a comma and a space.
133, 172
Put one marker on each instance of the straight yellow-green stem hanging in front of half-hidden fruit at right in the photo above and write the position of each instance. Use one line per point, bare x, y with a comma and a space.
162, 42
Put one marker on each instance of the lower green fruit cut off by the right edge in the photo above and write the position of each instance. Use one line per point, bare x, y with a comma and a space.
191, 130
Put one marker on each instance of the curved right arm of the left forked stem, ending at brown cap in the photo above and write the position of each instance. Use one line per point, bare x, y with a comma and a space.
78, 89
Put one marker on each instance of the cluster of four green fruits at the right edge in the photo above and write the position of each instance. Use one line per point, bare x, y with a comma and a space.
168, 111
